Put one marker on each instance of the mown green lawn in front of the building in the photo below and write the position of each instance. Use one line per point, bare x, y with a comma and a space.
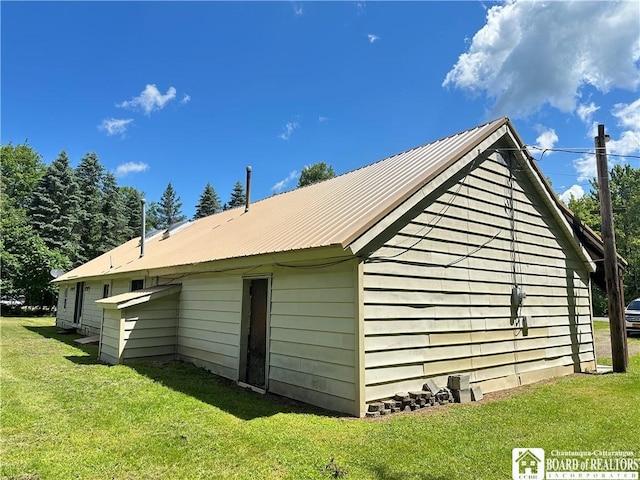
66, 416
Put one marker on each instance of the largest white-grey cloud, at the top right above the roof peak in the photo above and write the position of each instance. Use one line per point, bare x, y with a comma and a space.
529, 54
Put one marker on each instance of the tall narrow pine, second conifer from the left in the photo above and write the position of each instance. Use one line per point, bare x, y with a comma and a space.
90, 175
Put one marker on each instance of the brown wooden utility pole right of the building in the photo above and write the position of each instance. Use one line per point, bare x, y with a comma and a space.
611, 273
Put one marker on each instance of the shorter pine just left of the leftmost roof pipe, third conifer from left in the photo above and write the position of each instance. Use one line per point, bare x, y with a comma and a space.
114, 225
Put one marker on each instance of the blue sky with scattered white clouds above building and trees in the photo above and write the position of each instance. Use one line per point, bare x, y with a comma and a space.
193, 92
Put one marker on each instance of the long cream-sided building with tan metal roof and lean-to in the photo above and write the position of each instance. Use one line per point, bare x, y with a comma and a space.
451, 257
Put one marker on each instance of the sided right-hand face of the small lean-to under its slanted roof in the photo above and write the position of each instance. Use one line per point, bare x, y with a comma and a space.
150, 329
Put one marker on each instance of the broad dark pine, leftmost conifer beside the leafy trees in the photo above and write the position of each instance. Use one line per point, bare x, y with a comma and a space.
54, 208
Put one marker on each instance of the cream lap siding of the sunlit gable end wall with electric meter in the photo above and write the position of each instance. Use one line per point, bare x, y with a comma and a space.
434, 306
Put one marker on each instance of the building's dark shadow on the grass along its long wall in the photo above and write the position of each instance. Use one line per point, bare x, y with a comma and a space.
194, 381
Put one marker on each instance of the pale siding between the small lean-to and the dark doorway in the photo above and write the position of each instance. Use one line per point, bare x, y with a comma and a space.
209, 327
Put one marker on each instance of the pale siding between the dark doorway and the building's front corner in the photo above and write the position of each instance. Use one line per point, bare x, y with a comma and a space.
312, 336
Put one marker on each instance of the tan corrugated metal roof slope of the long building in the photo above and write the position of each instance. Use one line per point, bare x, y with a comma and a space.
333, 212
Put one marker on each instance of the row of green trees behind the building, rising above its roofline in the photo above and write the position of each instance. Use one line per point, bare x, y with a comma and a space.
57, 217
